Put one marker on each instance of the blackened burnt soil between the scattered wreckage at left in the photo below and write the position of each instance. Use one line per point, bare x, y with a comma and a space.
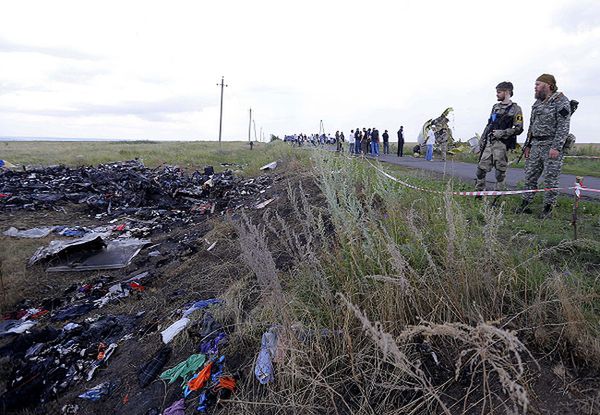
185, 271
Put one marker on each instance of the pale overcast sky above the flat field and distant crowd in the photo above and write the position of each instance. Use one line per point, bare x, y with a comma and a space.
149, 69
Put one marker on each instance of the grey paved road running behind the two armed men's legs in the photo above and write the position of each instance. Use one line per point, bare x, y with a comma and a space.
466, 172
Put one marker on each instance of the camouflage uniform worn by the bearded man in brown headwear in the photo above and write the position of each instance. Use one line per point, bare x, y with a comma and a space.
548, 129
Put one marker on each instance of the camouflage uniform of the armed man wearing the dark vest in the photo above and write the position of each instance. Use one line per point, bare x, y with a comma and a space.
495, 152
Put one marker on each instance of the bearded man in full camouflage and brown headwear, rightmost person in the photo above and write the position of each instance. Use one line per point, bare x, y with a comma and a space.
548, 131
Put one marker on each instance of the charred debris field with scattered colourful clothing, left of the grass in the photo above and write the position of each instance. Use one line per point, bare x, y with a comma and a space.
124, 318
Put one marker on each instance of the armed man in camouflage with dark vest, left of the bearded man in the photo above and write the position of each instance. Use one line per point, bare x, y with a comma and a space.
500, 135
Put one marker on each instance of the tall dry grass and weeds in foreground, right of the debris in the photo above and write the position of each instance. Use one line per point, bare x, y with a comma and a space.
434, 279
